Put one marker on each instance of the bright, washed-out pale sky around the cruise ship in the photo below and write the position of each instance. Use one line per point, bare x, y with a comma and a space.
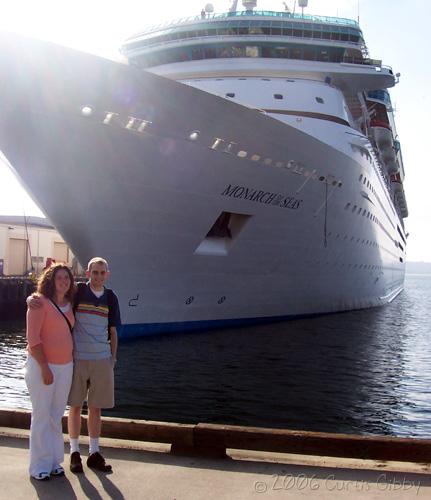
395, 31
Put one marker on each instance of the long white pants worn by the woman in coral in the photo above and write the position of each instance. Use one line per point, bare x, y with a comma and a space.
48, 405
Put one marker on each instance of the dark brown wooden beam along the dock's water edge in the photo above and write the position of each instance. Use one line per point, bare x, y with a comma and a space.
214, 439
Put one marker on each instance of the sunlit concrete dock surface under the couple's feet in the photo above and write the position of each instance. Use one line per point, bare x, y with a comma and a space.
143, 470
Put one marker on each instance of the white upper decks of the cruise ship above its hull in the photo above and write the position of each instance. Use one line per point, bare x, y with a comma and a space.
276, 62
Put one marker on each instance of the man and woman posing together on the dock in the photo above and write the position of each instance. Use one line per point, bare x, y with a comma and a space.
72, 347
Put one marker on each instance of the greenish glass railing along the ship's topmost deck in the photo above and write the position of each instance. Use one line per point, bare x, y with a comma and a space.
245, 13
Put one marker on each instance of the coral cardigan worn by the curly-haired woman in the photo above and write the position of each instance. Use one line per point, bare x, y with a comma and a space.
47, 326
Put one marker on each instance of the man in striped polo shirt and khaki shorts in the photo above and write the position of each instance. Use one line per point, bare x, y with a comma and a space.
97, 316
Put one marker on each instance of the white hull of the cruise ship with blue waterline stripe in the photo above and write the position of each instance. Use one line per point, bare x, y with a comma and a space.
144, 194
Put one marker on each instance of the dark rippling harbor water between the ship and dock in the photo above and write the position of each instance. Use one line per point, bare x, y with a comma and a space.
366, 372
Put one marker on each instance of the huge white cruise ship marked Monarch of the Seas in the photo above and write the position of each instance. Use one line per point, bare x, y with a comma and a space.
236, 168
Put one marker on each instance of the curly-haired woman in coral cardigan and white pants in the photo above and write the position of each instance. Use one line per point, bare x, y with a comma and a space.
49, 369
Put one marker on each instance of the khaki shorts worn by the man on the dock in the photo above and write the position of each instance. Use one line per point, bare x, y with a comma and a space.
93, 381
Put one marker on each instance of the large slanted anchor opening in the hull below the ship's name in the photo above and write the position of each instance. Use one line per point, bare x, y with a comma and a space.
224, 231
